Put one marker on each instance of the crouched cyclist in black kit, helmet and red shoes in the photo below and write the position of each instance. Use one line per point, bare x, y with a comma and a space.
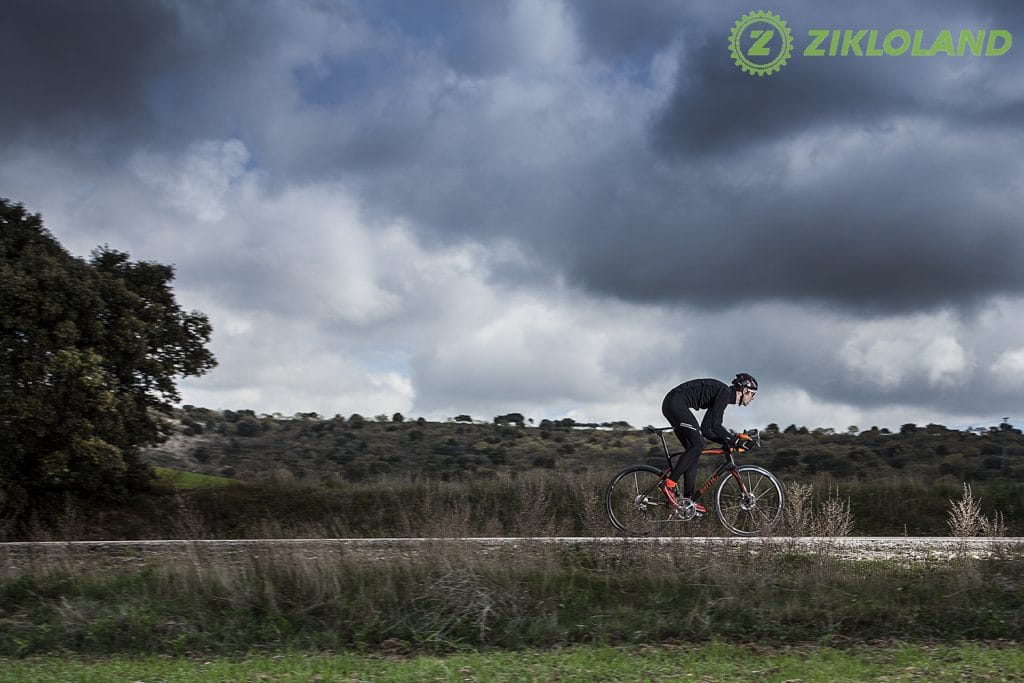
713, 397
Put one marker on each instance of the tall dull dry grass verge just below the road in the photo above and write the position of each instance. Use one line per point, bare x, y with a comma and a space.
445, 601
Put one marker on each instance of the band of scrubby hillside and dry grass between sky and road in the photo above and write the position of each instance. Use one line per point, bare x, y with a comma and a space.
388, 477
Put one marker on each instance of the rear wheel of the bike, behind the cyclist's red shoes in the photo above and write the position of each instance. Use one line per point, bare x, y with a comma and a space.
635, 502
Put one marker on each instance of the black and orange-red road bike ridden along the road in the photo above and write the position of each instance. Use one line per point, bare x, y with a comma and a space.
748, 501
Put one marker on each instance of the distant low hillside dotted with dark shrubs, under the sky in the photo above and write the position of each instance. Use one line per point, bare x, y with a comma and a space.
307, 447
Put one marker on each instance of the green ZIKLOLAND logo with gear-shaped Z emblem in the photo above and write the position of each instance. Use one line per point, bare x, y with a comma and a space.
761, 44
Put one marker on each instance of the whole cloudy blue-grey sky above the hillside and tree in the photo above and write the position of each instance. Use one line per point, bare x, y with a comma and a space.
563, 209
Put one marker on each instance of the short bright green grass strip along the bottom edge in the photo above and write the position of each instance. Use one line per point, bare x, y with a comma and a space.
717, 662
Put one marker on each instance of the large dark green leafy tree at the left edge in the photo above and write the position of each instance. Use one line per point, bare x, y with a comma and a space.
90, 352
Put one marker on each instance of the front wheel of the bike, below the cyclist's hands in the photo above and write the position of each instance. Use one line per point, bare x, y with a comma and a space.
749, 501
